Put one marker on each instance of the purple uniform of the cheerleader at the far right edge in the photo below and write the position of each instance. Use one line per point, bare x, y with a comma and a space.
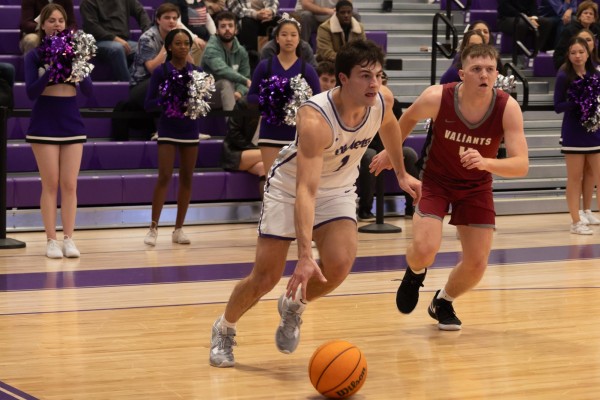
575, 139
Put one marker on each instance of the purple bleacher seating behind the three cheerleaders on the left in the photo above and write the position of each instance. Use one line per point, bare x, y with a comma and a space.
121, 173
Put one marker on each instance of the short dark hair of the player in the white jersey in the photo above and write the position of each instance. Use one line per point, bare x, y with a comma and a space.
357, 52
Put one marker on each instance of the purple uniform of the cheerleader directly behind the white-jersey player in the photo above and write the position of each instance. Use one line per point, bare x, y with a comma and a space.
279, 135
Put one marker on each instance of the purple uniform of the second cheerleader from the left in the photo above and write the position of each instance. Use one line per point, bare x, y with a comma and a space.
171, 130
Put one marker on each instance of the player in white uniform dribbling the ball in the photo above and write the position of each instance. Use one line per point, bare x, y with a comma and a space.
310, 195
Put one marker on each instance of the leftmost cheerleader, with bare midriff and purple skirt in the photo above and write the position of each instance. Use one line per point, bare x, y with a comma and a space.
56, 134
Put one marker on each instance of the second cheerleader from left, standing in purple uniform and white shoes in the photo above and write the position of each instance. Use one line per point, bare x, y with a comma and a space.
176, 134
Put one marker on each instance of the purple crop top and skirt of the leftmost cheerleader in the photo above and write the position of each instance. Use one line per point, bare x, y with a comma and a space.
54, 119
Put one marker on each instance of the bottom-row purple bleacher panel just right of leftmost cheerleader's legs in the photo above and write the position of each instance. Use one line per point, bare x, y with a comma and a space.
96, 190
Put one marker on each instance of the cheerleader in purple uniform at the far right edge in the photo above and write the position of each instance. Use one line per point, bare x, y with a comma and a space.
578, 145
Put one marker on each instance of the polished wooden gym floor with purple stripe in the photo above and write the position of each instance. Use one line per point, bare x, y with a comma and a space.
126, 321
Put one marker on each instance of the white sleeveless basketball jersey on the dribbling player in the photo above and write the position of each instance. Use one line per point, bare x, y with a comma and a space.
341, 160
